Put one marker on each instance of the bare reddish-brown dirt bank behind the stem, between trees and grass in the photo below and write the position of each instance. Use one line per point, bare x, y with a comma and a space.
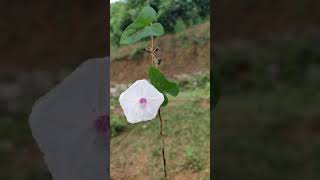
176, 59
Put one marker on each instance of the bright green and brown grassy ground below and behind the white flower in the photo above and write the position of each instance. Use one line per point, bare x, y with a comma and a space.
135, 151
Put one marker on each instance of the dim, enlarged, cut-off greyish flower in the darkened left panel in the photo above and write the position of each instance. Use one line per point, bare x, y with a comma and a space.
70, 124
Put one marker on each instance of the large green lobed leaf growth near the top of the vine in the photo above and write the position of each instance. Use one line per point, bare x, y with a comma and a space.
142, 27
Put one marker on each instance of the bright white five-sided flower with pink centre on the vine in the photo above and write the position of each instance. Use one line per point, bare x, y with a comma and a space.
141, 101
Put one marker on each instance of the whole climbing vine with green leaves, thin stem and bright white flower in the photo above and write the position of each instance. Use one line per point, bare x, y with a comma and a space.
145, 26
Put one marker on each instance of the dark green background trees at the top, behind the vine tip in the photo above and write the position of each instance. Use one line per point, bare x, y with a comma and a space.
190, 12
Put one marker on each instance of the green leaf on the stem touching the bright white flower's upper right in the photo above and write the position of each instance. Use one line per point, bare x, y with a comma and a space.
159, 81
